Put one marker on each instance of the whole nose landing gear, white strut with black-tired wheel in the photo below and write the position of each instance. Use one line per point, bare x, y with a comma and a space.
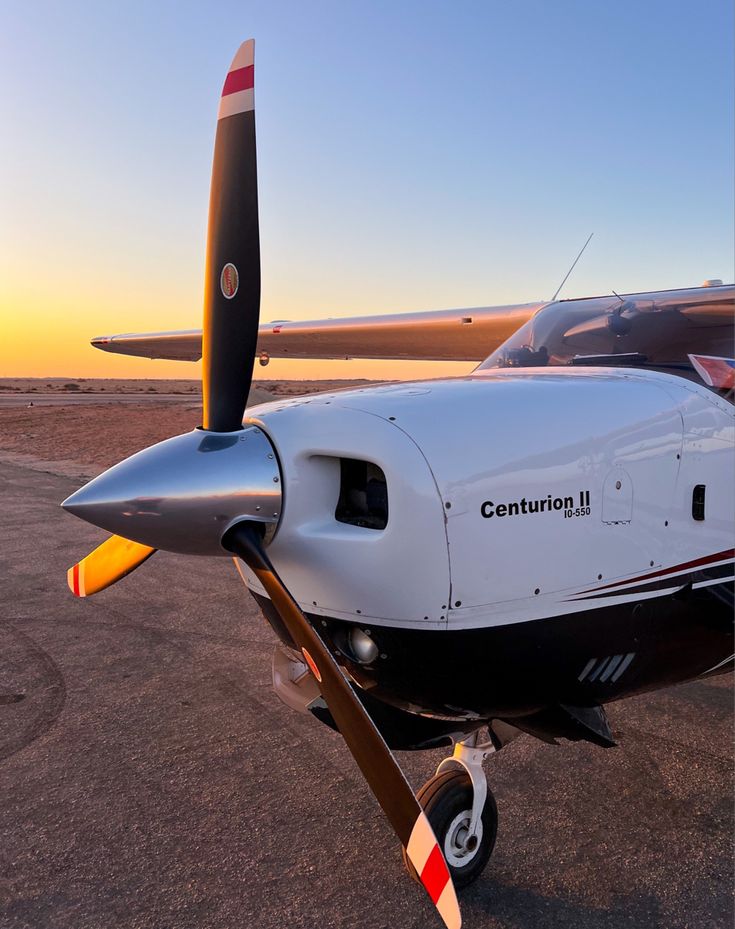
461, 810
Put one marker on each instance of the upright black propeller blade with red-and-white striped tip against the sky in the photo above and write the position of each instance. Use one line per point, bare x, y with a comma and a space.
232, 274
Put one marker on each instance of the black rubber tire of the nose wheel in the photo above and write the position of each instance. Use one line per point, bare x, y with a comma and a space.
447, 802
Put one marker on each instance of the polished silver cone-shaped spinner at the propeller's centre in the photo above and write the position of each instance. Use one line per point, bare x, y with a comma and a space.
183, 494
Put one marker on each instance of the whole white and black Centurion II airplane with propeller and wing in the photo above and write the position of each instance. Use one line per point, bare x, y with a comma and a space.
455, 561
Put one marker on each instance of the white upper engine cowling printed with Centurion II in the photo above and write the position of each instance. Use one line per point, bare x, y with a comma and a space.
512, 495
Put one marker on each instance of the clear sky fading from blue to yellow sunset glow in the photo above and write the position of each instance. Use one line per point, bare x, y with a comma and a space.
412, 156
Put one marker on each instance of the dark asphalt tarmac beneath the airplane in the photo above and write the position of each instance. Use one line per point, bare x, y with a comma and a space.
149, 779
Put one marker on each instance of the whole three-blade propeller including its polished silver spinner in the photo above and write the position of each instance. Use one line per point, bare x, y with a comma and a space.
216, 490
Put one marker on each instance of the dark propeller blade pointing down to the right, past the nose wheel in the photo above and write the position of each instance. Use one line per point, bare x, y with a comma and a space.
363, 739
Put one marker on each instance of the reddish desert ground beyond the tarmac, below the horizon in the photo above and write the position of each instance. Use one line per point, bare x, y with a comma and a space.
55, 425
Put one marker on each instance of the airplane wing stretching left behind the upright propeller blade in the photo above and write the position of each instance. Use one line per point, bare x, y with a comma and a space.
437, 335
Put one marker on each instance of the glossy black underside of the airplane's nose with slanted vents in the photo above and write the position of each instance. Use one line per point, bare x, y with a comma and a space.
581, 659
